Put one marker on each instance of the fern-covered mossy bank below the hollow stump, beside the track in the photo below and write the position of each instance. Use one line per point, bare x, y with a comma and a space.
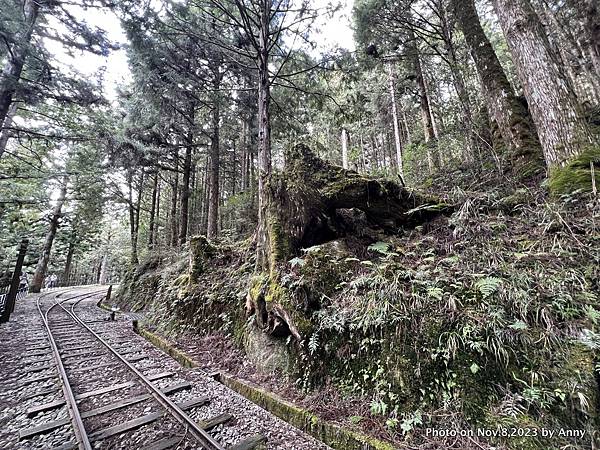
486, 319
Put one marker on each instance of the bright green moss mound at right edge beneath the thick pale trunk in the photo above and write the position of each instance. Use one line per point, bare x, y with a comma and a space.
576, 175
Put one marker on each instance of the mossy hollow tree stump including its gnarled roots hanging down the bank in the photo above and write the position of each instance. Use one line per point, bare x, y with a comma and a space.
313, 202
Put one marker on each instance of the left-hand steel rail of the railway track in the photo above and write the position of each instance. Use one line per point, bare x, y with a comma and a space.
83, 442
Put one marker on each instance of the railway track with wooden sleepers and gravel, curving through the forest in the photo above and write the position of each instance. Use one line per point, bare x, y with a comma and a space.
108, 393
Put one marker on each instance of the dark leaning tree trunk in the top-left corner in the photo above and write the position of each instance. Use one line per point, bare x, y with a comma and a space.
13, 67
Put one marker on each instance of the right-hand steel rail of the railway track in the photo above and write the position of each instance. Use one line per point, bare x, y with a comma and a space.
198, 432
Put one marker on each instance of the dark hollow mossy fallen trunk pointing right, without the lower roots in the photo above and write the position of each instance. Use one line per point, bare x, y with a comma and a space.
313, 202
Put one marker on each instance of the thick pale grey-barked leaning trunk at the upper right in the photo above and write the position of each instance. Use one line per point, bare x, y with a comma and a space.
551, 98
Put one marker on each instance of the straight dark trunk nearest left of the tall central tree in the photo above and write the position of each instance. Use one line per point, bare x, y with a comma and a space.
214, 175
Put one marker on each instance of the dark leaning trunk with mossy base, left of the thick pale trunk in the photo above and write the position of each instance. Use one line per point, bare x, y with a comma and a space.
510, 113
